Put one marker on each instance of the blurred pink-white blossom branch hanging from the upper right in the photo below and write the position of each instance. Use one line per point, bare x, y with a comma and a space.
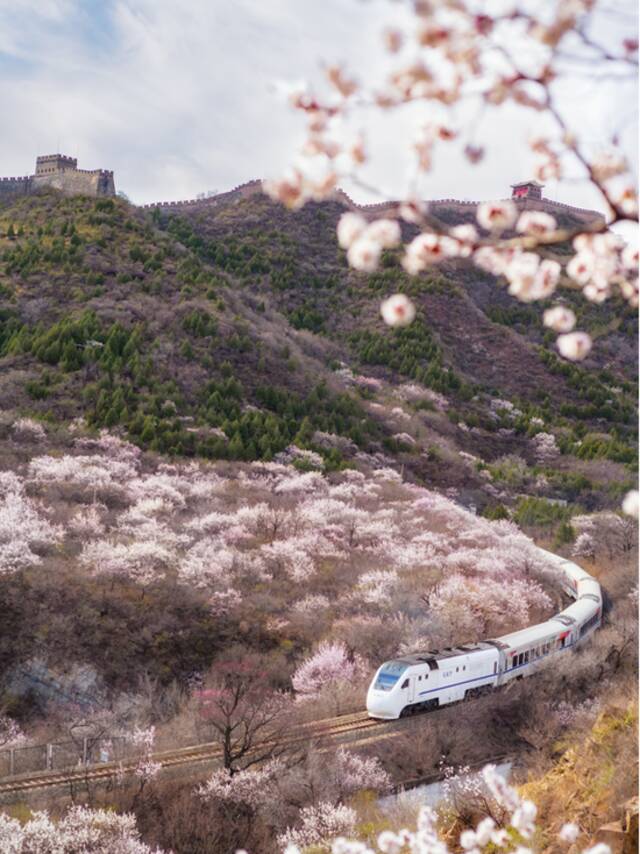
462, 55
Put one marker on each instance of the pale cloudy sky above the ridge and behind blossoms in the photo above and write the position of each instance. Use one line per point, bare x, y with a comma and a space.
181, 97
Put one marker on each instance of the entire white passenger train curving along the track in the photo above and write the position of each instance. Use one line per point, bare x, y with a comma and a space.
422, 681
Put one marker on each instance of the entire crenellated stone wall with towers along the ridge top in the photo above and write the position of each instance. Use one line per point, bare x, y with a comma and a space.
61, 172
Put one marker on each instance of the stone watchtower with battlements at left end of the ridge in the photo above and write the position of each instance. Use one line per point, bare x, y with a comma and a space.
60, 172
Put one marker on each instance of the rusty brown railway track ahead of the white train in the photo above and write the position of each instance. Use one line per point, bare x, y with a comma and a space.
324, 730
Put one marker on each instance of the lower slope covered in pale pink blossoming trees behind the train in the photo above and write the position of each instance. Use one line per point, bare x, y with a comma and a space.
354, 567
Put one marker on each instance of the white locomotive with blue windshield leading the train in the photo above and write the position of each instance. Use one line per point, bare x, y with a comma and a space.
415, 683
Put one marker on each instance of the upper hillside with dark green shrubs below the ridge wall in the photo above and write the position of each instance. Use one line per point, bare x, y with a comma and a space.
237, 330
